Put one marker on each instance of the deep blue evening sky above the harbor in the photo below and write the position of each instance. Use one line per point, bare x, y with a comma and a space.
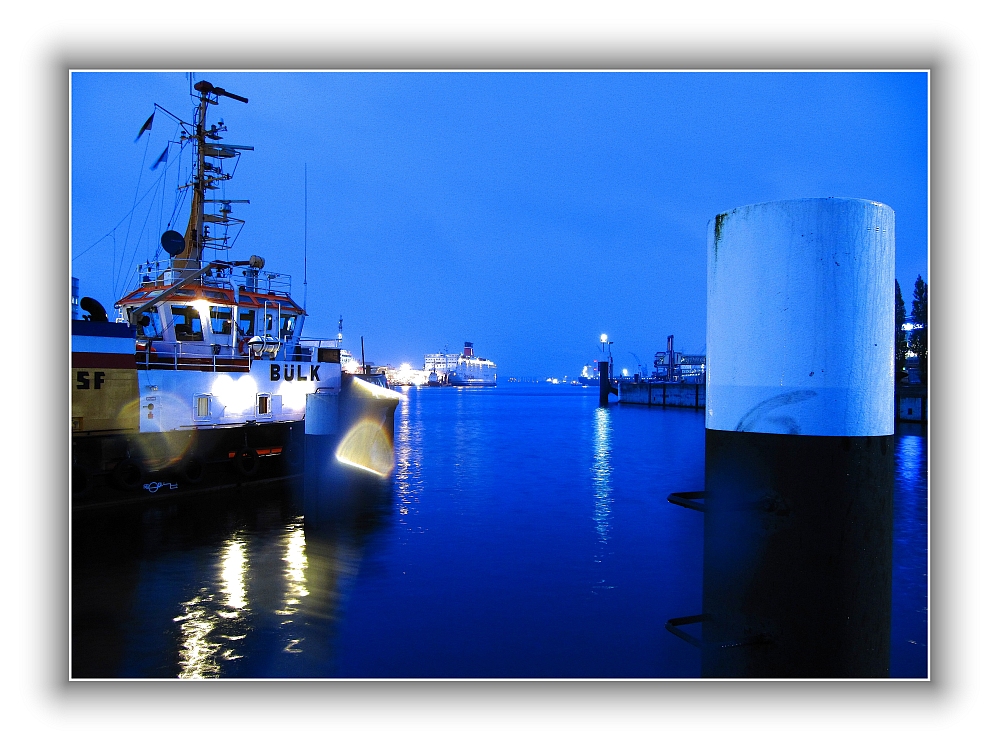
526, 212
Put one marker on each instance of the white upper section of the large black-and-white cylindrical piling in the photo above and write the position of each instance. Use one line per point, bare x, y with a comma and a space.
799, 335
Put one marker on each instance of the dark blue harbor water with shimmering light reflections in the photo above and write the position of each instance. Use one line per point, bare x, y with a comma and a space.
525, 533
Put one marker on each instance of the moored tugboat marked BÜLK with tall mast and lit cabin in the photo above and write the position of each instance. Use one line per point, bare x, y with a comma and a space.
204, 372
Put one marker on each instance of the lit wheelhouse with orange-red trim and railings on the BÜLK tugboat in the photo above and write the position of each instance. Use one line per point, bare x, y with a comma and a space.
217, 317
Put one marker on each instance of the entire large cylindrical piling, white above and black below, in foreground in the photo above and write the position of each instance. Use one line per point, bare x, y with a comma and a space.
799, 425
